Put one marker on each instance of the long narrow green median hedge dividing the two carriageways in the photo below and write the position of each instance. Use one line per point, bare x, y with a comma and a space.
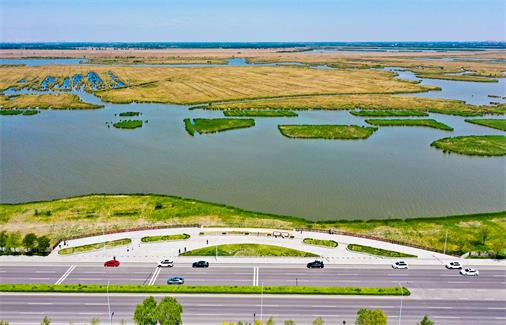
300, 290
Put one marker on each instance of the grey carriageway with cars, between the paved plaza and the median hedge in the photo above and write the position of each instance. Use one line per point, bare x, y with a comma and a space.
267, 274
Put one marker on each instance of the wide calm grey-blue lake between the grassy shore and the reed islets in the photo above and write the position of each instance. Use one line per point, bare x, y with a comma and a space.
394, 173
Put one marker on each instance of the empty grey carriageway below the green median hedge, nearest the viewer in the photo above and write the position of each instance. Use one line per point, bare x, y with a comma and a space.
214, 309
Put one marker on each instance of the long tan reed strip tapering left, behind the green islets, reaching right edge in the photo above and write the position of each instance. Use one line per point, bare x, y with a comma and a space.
382, 102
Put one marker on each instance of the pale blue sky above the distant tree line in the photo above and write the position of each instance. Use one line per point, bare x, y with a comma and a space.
251, 20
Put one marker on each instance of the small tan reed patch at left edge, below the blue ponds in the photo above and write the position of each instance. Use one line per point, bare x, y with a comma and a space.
45, 101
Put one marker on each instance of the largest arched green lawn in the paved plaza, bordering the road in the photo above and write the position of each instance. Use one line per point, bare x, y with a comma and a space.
248, 250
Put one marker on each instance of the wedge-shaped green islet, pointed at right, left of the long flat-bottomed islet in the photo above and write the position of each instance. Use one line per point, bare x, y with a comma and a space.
213, 125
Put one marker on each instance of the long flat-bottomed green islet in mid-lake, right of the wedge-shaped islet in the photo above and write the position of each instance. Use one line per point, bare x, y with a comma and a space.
345, 132
